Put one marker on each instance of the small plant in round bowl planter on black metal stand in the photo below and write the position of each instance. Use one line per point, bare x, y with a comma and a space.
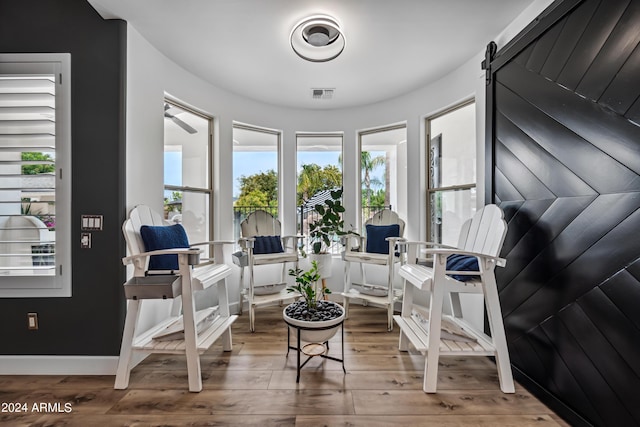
312, 311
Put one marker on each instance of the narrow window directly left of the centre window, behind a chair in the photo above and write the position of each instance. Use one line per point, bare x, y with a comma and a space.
255, 172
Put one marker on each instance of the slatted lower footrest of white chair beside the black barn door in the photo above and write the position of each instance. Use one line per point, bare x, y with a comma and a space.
419, 338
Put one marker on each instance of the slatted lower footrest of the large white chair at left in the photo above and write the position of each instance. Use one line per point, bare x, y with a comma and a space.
145, 341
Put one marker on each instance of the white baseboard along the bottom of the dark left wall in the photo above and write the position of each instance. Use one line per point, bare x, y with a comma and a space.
62, 365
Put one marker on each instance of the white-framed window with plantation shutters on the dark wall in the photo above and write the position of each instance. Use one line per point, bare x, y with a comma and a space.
35, 175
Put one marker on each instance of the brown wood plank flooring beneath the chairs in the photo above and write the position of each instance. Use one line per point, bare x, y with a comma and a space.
255, 385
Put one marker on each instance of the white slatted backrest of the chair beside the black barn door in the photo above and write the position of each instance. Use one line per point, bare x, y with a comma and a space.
485, 232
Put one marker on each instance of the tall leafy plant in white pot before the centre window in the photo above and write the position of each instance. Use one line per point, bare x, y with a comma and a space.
323, 231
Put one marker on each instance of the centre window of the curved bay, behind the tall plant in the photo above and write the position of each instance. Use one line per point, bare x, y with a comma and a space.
319, 166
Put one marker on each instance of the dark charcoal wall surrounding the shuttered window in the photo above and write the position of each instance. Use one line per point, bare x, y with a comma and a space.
90, 322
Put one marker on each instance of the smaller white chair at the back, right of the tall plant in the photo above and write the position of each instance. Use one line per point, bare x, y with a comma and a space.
385, 295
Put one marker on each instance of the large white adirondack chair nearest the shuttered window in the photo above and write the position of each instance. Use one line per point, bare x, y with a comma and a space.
192, 278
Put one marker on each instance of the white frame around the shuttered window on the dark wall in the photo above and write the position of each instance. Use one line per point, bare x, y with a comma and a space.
59, 284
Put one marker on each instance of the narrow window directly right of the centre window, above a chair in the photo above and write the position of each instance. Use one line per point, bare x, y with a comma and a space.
383, 164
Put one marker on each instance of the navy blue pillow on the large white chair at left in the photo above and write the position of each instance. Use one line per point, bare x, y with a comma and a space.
163, 237
